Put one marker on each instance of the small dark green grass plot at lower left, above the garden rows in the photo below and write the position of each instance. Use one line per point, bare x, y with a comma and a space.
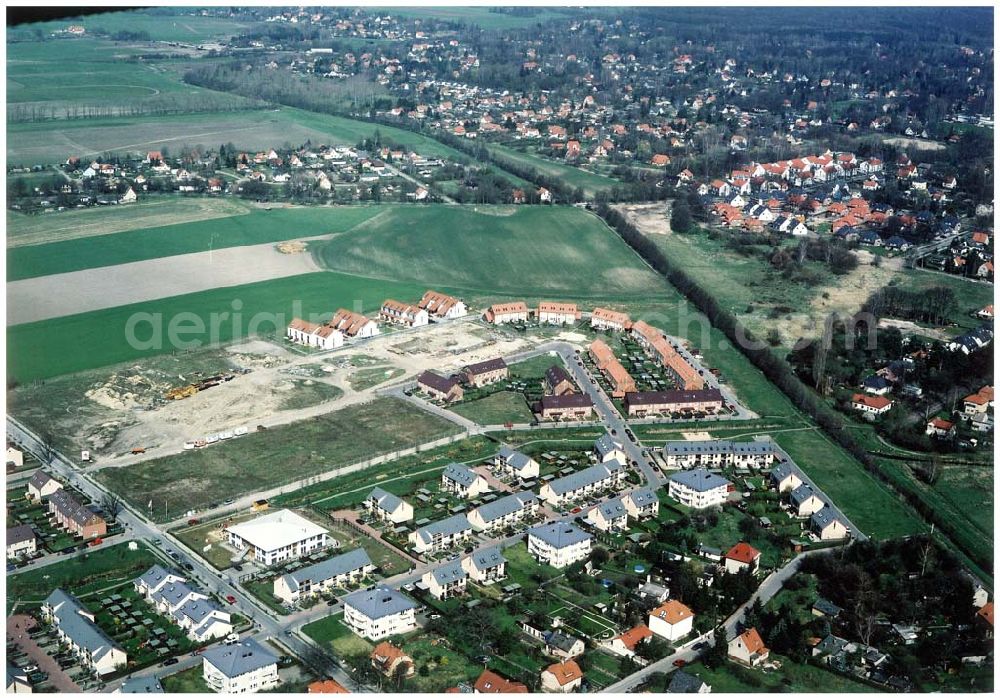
87, 573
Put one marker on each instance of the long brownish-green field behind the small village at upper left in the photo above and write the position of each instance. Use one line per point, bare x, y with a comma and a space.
48, 142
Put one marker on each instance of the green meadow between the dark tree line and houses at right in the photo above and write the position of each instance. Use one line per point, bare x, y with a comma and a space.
866, 501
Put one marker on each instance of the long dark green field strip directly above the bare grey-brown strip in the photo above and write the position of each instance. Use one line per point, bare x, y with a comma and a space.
256, 227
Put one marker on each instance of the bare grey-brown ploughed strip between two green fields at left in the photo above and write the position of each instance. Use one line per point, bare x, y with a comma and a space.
47, 297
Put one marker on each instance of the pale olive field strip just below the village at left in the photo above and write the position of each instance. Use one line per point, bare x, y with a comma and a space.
24, 229
